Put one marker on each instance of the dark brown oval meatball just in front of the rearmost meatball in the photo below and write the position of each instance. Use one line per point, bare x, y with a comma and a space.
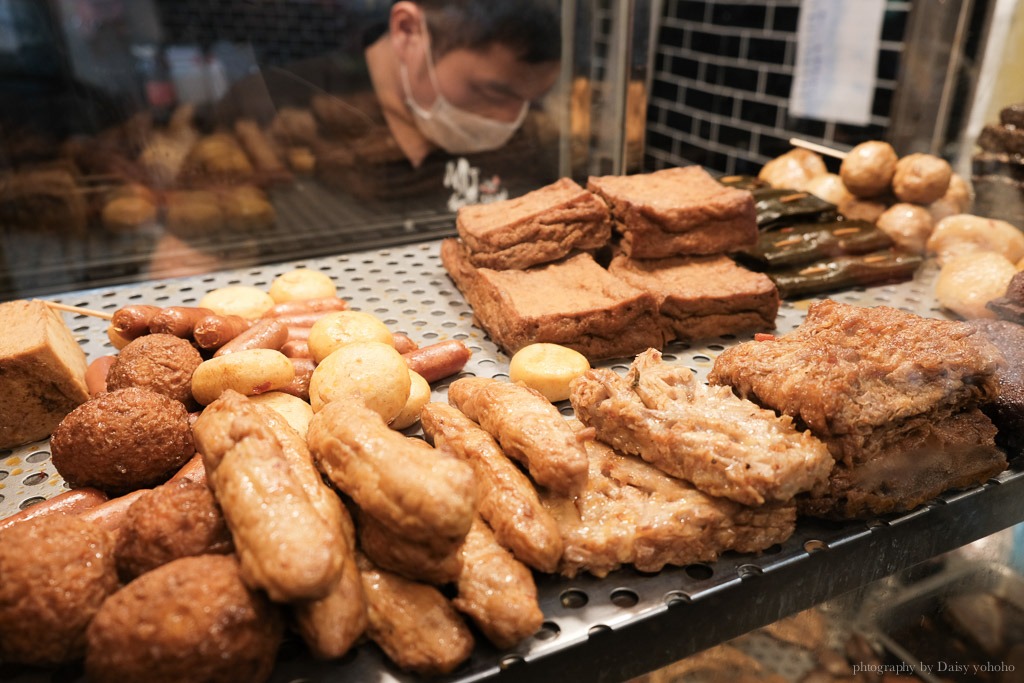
122, 441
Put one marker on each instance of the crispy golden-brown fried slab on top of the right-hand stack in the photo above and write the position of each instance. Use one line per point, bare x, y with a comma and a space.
850, 370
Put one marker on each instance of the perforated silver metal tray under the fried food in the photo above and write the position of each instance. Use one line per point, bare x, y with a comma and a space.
595, 630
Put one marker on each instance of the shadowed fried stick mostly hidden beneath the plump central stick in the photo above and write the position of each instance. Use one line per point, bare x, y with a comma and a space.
412, 561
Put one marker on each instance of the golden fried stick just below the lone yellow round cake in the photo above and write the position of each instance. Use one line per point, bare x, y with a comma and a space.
530, 430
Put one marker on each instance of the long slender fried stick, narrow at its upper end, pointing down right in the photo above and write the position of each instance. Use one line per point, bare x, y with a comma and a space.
507, 500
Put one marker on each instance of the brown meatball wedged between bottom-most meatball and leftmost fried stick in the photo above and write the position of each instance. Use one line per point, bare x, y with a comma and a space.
177, 520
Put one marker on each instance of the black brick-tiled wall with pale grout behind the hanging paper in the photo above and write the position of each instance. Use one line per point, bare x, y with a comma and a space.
721, 86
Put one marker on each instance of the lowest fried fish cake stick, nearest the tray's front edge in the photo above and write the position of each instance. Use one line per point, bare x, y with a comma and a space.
414, 624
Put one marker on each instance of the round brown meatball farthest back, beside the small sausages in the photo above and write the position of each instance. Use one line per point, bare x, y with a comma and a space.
161, 363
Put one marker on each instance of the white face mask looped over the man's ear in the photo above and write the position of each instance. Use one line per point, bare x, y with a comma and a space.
456, 131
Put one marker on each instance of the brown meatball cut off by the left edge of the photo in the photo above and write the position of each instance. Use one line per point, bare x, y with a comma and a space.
57, 572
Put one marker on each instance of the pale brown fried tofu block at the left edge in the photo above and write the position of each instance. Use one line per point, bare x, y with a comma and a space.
42, 372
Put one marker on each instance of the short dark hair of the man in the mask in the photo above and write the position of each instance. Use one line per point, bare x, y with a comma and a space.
532, 29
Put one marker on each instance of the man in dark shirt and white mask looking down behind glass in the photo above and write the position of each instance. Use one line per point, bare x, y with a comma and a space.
446, 81
